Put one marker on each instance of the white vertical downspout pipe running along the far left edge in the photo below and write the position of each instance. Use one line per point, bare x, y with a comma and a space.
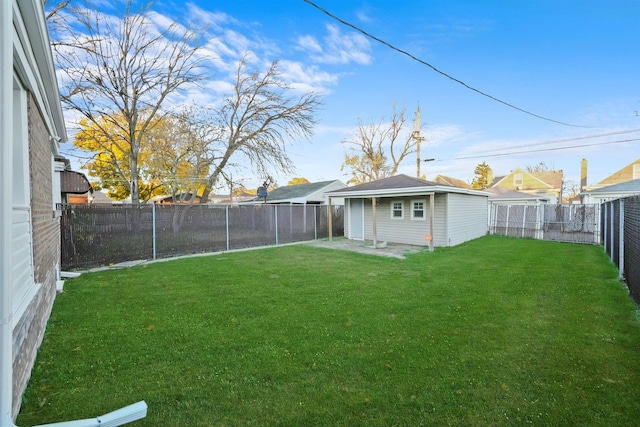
6, 172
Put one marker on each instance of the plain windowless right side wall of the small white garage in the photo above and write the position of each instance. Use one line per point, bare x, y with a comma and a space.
466, 217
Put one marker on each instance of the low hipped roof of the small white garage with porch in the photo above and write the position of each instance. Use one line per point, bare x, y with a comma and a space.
400, 185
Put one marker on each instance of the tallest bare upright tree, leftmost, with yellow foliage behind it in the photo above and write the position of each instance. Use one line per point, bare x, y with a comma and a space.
117, 74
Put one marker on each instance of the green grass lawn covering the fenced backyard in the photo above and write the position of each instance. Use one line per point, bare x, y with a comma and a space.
497, 331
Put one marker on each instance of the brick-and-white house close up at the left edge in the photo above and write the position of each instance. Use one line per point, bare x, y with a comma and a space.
31, 129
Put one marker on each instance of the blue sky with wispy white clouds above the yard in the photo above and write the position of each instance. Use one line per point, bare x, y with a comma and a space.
507, 82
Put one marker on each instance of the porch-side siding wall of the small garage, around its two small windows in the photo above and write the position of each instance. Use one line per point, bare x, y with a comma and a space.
406, 230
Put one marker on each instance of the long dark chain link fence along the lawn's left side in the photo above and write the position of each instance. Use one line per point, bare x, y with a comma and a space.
100, 235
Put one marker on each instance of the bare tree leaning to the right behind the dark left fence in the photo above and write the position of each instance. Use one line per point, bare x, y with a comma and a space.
255, 123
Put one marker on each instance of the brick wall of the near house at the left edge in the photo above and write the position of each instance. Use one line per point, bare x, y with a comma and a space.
28, 333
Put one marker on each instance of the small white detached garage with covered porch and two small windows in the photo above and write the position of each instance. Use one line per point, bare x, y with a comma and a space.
403, 209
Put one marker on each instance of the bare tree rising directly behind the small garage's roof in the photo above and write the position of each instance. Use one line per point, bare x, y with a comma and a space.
375, 151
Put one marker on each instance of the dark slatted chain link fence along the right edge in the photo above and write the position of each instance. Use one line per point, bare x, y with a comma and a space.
621, 239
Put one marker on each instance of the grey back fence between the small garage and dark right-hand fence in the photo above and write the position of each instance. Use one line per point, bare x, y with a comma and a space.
564, 223
